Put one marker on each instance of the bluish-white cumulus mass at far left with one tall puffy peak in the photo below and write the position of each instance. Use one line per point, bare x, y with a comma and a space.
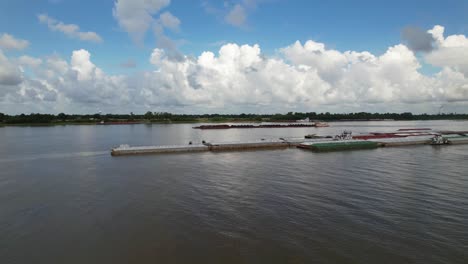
58, 83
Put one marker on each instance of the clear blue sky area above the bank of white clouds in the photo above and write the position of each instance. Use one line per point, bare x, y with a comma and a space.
204, 25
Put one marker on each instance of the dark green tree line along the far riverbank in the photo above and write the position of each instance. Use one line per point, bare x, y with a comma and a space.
37, 118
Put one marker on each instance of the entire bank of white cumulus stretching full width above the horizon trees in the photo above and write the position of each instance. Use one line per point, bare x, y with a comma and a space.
305, 76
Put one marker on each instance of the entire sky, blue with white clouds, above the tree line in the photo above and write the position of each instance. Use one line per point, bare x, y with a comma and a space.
238, 56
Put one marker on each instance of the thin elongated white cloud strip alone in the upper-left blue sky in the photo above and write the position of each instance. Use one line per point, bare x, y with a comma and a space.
71, 30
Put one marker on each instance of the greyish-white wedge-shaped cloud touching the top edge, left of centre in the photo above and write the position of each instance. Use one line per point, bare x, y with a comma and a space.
136, 16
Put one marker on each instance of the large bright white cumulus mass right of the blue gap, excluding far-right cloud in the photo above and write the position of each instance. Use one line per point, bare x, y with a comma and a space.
241, 75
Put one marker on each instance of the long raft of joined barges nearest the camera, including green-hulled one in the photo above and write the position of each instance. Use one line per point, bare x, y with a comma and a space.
345, 141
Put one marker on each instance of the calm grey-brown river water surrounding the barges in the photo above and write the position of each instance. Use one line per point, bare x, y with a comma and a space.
64, 199
